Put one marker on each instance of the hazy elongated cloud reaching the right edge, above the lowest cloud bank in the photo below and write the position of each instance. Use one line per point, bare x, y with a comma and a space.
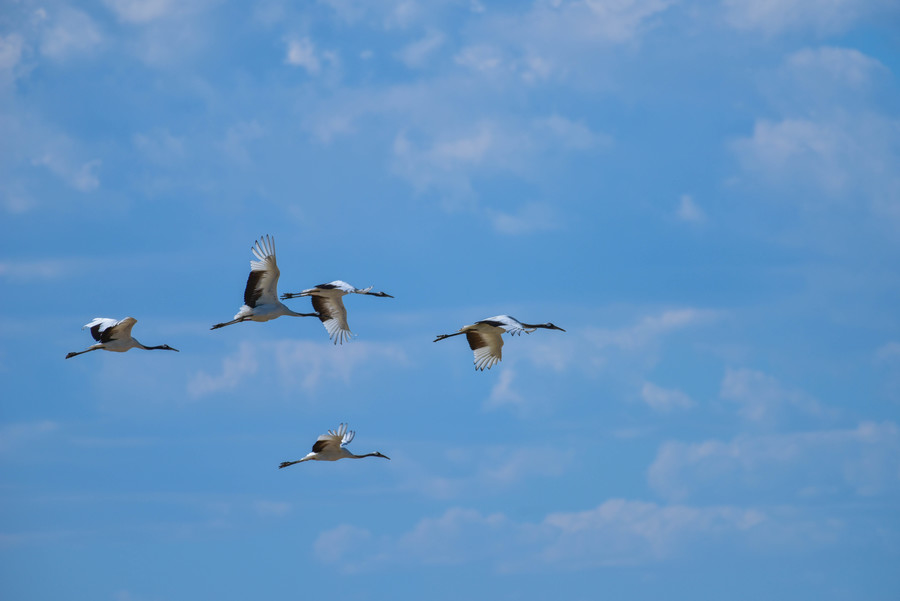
782, 468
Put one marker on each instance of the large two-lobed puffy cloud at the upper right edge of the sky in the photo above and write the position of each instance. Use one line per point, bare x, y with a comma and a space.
831, 146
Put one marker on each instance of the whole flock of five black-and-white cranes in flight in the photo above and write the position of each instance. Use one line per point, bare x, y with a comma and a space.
261, 303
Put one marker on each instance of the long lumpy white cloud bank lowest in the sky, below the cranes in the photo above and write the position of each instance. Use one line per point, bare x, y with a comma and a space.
616, 532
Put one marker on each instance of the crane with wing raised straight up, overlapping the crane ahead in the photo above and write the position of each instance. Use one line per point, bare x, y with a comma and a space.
261, 295
